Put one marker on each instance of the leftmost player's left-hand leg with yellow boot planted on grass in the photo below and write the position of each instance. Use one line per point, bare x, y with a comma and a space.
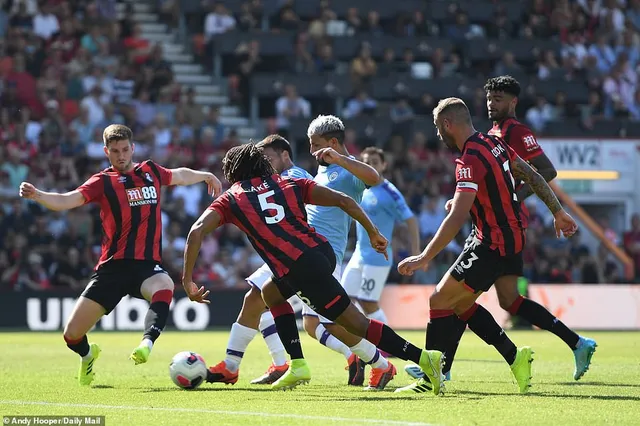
85, 315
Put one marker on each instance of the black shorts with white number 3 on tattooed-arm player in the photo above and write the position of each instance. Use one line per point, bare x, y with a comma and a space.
479, 266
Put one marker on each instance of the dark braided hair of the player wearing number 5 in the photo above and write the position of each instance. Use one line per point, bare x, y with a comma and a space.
245, 162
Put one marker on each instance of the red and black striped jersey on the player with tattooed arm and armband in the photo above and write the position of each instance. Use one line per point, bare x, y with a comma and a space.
485, 168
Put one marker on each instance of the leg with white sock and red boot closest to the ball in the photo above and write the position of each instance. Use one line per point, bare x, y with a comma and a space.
242, 333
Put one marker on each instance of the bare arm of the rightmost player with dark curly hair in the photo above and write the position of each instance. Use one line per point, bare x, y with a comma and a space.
563, 222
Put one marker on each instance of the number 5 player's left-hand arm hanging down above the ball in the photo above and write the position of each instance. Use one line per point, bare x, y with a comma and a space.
206, 223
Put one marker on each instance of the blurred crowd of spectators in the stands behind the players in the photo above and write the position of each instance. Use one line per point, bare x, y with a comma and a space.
69, 68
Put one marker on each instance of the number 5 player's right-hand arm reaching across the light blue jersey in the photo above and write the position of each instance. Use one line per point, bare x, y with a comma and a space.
323, 196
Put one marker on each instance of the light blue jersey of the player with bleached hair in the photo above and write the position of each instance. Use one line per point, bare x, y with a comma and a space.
332, 222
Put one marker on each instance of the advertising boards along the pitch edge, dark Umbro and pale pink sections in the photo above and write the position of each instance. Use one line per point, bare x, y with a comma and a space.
595, 307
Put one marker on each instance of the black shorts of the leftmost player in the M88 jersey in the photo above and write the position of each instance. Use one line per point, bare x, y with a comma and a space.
118, 278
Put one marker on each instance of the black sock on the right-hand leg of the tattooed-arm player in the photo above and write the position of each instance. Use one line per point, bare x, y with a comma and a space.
482, 323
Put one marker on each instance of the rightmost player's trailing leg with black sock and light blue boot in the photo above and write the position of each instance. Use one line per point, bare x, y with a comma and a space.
510, 300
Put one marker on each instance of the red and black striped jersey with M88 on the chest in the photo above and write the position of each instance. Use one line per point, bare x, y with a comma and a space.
129, 211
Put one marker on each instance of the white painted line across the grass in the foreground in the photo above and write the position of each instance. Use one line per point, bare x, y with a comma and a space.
223, 412
